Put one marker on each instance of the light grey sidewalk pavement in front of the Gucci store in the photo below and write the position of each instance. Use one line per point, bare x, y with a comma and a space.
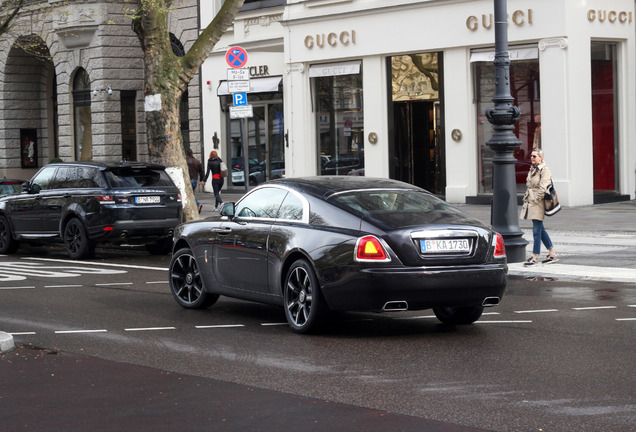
596, 242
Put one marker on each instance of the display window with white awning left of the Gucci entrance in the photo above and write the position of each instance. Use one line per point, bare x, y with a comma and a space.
339, 118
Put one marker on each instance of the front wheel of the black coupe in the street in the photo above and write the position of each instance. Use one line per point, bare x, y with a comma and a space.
186, 283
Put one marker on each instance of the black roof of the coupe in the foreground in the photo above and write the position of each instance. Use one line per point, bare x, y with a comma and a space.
325, 186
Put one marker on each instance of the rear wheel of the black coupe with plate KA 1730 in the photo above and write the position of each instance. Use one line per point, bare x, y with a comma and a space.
304, 305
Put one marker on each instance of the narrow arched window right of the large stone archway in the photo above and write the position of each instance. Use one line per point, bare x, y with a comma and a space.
82, 116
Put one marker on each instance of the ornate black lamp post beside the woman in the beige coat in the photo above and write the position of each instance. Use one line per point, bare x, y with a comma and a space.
504, 214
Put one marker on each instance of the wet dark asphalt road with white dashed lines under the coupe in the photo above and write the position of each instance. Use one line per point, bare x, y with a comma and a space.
554, 356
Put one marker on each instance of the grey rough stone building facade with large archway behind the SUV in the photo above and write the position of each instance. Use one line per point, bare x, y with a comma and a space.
82, 99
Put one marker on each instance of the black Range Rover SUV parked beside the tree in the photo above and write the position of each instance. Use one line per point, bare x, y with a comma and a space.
85, 203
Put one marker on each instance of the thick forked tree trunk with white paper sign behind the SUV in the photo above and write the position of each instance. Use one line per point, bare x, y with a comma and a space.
167, 77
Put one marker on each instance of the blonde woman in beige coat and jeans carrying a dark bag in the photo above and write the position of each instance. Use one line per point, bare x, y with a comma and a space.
533, 208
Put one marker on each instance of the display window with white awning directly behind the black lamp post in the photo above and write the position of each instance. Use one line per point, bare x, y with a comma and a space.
524, 88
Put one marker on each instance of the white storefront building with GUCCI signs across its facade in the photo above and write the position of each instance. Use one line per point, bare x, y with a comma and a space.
399, 90
